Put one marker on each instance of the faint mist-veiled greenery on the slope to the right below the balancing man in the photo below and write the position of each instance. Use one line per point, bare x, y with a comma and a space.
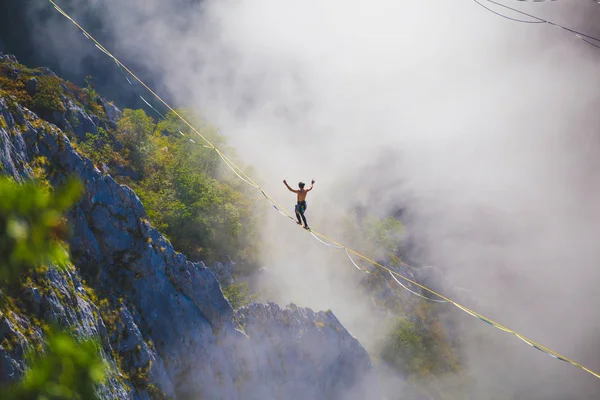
417, 345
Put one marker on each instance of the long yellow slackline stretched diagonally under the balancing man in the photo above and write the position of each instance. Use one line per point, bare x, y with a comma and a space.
244, 177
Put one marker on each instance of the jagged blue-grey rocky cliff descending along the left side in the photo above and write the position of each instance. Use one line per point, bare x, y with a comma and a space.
163, 323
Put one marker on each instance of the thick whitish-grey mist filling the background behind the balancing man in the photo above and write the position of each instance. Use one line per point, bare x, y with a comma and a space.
484, 130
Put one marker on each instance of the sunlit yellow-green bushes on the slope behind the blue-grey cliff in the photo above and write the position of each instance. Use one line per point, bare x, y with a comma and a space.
206, 216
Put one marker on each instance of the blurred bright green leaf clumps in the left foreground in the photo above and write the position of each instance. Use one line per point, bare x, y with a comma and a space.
32, 230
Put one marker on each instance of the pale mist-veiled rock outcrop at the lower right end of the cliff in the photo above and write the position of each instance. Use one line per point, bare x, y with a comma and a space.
298, 350
